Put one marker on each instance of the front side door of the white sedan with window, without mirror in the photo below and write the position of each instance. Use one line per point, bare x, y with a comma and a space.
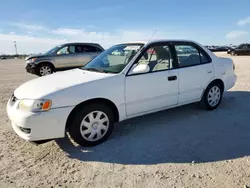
156, 89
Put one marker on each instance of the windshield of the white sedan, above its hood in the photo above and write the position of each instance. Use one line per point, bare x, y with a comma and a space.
114, 59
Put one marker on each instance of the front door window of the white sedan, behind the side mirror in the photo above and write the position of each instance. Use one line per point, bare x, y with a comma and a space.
158, 58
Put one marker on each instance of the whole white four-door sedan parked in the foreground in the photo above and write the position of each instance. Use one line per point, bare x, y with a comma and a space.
144, 78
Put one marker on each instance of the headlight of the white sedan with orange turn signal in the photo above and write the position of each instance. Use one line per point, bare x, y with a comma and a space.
35, 105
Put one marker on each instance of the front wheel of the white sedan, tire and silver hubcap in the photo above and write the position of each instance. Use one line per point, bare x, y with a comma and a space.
86, 127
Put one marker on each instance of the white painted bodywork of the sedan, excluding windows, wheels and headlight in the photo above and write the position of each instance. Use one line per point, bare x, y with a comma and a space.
132, 95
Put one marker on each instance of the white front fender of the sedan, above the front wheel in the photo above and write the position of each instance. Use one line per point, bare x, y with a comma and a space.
111, 89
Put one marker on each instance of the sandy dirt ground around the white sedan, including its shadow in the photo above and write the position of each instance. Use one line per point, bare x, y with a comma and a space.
182, 147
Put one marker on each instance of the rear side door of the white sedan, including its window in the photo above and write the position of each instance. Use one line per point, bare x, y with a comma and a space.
195, 71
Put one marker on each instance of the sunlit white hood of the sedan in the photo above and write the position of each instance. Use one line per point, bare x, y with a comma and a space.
39, 88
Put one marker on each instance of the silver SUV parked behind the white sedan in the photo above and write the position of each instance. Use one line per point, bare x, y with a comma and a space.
62, 57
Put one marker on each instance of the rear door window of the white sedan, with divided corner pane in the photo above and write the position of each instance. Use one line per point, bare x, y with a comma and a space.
189, 55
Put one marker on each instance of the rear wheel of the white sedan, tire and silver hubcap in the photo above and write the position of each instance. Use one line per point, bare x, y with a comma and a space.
212, 96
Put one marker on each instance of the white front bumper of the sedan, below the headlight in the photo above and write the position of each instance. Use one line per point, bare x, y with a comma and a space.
38, 126
